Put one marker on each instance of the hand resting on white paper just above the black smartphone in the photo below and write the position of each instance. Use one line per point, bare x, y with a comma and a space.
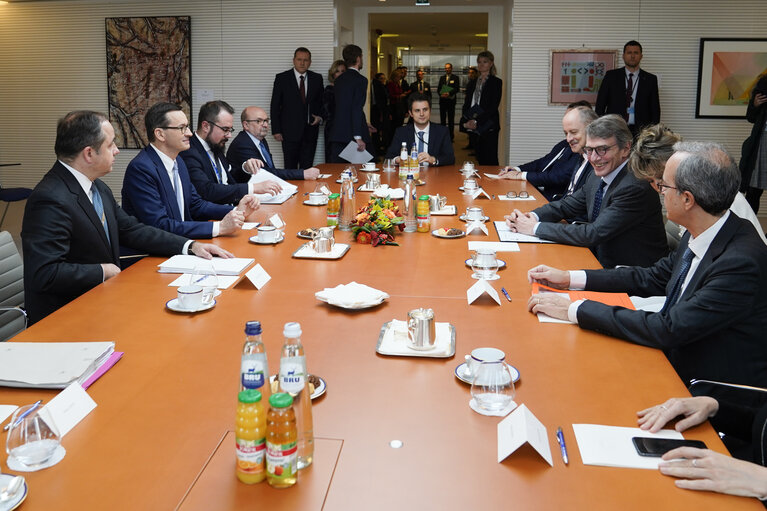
696, 410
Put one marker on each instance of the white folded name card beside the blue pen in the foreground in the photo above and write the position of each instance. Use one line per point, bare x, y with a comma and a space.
519, 428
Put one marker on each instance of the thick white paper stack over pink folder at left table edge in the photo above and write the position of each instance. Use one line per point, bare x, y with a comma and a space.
51, 365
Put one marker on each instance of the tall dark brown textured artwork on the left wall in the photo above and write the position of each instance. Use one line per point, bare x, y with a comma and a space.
148, 60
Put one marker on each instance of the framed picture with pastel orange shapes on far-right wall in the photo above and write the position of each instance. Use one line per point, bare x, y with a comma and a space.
727, 71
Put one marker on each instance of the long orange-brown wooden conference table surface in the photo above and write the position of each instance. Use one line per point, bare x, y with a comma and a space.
161, 436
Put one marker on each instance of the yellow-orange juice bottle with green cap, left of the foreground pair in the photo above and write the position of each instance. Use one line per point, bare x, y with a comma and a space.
250, 437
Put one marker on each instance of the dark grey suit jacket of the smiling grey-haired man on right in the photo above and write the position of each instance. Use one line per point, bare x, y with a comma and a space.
628, 231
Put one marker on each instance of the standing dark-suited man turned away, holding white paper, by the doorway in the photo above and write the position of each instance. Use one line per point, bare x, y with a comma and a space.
349, 119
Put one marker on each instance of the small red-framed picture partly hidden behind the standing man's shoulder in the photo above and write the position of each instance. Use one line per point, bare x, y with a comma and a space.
576, 75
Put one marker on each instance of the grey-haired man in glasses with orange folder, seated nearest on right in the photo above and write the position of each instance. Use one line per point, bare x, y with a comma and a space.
713, 321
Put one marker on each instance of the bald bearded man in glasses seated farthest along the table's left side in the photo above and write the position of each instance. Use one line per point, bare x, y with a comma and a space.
249, 151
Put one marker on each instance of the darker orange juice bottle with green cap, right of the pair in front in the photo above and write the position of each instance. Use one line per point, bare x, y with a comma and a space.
281, 442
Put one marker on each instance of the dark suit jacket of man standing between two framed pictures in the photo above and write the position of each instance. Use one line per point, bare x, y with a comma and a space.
611, 98
